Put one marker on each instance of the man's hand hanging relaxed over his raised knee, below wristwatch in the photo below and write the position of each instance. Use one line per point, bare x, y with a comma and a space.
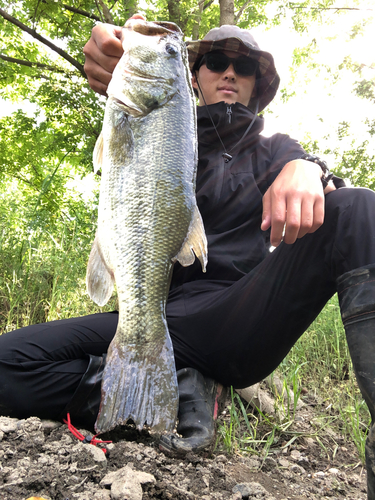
294, 200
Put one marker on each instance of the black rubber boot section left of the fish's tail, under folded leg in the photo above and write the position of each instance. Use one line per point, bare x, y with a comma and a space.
84, 405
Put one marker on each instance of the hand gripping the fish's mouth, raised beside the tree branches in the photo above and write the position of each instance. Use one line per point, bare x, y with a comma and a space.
102, 53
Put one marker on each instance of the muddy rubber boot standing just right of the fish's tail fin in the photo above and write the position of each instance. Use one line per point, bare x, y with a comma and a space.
200, 401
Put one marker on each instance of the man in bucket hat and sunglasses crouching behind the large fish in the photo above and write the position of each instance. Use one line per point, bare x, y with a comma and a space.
235, 323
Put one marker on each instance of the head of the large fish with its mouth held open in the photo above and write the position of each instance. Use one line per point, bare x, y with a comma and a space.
149, 72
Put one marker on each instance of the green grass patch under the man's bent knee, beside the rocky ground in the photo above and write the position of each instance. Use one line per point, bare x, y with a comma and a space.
319, 366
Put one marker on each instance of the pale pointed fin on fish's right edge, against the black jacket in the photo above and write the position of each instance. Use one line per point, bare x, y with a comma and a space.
195, 243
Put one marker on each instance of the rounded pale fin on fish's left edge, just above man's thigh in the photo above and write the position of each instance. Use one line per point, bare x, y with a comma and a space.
99, 279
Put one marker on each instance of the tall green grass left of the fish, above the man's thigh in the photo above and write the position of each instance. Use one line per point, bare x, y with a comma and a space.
43, 258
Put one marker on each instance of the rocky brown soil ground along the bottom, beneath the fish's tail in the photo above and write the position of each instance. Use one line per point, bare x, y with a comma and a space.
44, 460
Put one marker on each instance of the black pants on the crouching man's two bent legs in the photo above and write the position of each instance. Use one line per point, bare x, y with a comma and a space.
237, 333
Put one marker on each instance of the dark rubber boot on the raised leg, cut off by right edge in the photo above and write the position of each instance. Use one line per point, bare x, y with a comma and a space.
356, 291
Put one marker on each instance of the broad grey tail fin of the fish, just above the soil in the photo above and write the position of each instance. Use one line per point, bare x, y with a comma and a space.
139, 387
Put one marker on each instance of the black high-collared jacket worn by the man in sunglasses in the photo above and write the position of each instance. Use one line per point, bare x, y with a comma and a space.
229, 195
